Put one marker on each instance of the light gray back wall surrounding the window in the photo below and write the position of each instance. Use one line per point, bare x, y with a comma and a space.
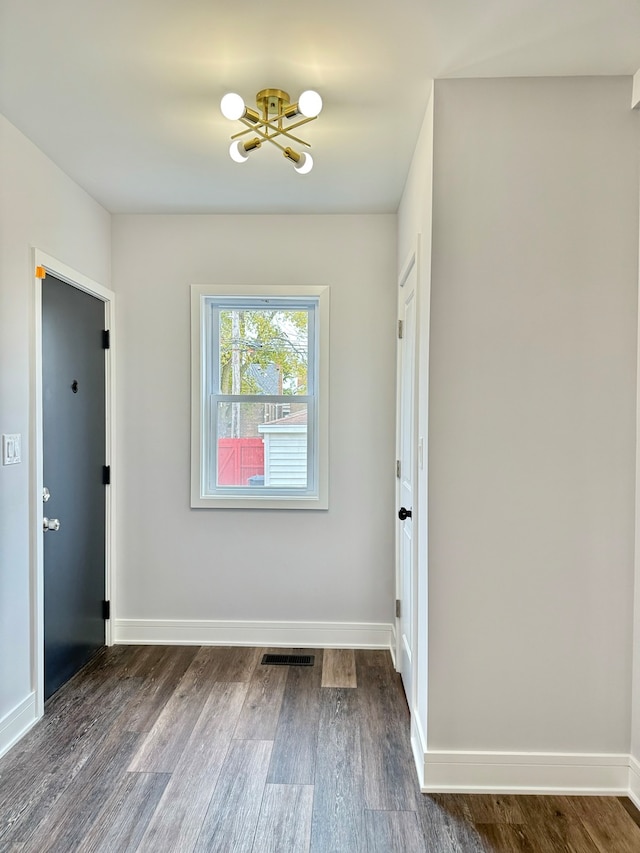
183, 564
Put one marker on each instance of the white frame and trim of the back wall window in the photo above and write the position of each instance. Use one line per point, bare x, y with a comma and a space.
317, 495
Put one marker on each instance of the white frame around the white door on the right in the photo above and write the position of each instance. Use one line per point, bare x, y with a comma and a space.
411, 262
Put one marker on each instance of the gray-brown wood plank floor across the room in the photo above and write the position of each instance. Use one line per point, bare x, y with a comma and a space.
204, 749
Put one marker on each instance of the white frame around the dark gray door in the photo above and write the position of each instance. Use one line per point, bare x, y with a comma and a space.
81, 282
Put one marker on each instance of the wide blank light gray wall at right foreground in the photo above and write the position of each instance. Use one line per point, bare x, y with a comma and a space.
532, 415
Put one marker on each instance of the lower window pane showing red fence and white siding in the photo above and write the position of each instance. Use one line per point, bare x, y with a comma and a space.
262, 445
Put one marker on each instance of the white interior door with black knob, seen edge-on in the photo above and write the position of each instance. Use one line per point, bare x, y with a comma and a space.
406, 491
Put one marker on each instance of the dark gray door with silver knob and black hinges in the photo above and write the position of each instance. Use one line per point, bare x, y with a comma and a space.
73, 410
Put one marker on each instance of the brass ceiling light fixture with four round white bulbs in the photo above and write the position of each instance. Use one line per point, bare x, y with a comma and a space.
275, 117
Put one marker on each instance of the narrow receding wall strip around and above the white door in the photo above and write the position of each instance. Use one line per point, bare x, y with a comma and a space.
414, 230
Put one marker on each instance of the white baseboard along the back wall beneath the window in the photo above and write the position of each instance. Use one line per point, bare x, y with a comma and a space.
336, 635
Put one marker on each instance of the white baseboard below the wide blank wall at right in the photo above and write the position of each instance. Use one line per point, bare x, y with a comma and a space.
525, 773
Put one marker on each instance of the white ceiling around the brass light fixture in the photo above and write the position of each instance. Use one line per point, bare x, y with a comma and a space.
124, 94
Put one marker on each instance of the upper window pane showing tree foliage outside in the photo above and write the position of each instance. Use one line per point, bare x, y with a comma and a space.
263, 351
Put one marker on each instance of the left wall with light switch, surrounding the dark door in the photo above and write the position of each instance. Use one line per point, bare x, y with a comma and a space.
39, 207
